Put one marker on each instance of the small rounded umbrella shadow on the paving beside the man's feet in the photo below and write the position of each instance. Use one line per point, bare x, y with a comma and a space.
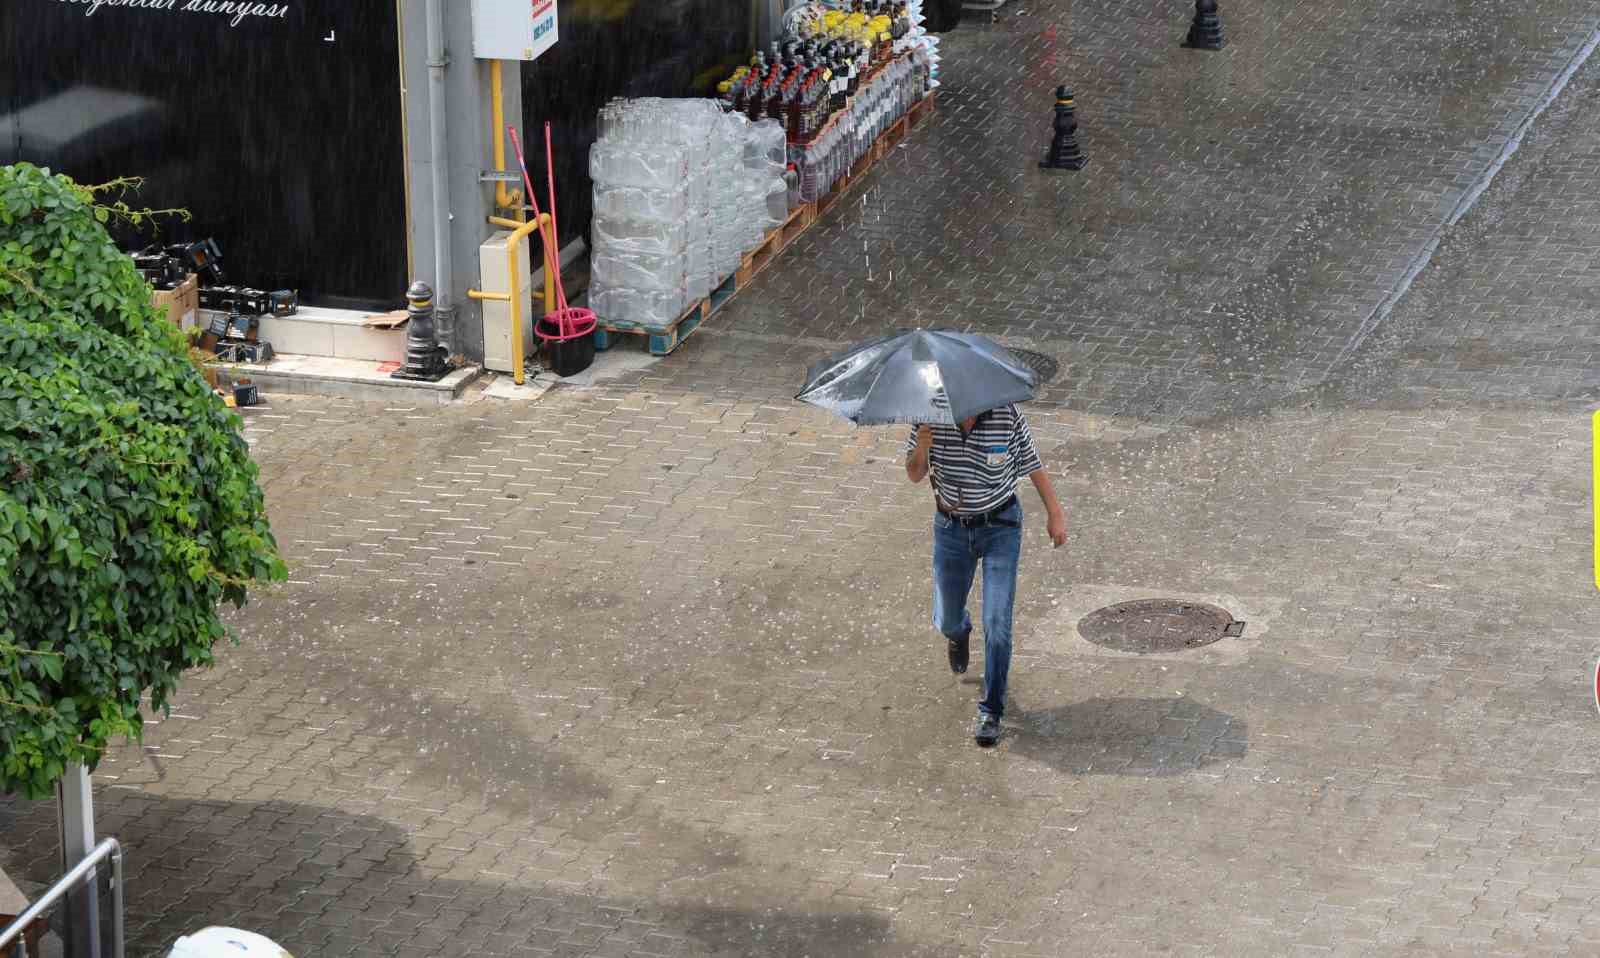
1129, 736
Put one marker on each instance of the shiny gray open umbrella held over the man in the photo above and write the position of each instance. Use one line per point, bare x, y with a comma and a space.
919, 377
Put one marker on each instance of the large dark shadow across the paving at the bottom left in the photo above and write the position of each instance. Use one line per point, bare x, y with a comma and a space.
326, 884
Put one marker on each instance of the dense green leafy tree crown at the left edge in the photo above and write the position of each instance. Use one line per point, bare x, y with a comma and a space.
130, 508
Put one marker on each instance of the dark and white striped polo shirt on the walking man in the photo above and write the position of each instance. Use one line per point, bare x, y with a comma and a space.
975, 473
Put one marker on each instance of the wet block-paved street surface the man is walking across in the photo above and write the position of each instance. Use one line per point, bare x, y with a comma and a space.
646, 668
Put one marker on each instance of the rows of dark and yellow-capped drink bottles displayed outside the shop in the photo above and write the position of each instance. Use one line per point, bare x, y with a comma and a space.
838, 81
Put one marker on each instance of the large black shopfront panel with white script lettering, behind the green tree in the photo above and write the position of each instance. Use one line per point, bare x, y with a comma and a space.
281, 134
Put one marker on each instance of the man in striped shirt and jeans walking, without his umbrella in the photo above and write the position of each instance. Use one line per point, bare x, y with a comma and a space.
974, 469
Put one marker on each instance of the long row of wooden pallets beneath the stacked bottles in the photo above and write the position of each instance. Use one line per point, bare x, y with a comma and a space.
665, 340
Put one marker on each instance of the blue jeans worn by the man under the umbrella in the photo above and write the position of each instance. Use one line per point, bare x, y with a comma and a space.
956, 556
